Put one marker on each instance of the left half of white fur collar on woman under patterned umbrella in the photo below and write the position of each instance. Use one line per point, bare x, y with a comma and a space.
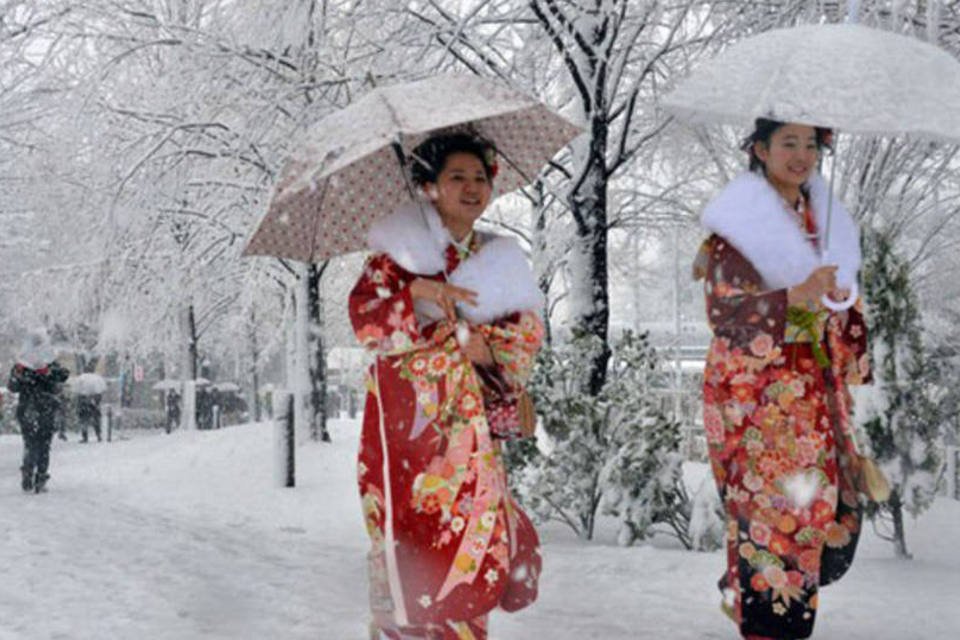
414, 236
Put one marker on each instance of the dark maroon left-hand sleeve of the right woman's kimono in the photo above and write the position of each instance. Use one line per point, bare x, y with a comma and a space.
737, 307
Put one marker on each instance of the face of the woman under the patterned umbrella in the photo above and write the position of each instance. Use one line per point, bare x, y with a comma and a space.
462, 191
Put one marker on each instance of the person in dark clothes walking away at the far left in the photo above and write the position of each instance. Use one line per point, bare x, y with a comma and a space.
37, 379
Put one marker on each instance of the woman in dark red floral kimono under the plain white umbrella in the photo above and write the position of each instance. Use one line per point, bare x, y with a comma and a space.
775, 383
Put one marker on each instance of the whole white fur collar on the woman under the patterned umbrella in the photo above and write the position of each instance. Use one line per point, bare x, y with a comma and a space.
414, 236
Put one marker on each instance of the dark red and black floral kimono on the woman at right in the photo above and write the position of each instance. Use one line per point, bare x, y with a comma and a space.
793, 517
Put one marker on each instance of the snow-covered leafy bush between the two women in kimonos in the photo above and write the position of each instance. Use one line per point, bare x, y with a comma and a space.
614, 453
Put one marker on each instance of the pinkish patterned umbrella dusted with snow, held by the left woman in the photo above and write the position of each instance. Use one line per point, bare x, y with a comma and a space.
347, 172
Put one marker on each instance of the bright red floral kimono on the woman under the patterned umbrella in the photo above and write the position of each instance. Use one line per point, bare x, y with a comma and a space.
431, 478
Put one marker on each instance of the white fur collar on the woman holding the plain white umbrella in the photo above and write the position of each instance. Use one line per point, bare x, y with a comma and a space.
749, 213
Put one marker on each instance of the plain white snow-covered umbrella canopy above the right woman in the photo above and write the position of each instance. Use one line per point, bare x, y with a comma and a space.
843, 76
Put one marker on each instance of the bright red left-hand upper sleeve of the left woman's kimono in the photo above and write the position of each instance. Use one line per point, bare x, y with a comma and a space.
381, 307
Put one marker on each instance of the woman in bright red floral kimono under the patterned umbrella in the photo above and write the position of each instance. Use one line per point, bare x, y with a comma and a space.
451, 314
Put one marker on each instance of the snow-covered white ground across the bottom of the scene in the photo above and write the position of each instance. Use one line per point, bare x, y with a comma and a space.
186, 536
